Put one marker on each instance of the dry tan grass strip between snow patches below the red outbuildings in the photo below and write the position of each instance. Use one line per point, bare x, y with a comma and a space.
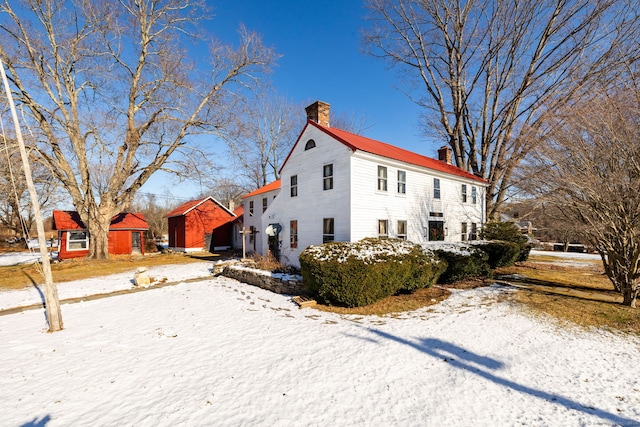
22, 276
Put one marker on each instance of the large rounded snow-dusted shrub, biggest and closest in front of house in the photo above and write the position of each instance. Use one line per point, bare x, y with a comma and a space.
361, 273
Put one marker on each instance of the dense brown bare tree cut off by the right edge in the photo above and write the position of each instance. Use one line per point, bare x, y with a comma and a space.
589, 169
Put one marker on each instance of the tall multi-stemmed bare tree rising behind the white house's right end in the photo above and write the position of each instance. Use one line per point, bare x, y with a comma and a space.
489, 73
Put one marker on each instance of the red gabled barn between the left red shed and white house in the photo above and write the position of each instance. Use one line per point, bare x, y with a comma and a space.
203, 224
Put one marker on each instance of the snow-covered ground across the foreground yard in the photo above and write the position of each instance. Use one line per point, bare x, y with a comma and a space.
220, 352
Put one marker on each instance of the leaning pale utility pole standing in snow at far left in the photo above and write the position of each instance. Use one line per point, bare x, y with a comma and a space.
51, 301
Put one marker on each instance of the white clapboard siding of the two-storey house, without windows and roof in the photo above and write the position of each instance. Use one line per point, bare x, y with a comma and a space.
355, 203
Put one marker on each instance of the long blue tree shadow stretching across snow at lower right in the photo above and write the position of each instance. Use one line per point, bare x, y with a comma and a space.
480, 365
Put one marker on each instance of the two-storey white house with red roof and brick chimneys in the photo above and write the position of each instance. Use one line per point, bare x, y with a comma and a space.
339, 186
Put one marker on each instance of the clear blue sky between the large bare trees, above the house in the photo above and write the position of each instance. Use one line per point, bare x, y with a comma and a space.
323, 59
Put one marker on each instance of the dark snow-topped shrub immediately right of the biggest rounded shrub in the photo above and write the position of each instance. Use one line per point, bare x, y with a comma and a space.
463, 261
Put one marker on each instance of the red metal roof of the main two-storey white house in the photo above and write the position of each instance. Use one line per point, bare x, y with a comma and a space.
358, 142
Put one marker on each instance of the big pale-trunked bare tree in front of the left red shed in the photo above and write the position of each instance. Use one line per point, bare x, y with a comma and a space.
114, 93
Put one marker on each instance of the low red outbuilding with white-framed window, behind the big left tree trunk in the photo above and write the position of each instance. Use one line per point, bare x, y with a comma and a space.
126, 234
